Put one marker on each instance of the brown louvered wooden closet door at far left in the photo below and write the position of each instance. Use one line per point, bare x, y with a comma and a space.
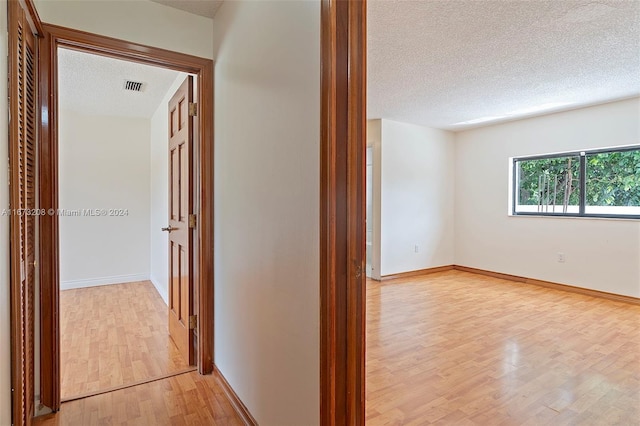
23, 136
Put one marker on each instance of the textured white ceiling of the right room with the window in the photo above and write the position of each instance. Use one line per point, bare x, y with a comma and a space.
438, 63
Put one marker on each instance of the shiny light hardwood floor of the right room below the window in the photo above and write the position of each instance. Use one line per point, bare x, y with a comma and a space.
456, 348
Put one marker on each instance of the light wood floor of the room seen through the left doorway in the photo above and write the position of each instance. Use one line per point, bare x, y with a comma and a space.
114, 335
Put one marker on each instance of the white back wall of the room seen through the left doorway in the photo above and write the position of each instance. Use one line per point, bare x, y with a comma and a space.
104, 164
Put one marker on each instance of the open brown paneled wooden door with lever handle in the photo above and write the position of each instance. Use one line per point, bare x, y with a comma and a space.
181, 221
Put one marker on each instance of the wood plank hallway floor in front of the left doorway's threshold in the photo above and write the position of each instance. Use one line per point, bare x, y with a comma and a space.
186, 399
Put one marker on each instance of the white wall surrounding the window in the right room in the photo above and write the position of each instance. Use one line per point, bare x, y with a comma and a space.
600, 254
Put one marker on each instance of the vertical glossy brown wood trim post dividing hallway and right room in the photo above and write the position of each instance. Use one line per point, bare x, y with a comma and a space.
342, 212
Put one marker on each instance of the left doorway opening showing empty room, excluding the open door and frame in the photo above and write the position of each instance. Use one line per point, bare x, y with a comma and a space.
113, 193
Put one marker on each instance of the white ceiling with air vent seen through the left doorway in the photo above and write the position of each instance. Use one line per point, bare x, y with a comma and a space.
94, 84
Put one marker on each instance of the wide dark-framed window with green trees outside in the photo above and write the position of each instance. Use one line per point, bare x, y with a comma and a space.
599, 183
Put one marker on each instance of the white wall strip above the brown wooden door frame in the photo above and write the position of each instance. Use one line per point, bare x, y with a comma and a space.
139, 21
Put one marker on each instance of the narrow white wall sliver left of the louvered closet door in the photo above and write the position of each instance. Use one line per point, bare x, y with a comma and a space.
5, 331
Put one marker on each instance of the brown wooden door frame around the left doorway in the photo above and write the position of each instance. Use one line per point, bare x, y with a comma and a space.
53, 37
